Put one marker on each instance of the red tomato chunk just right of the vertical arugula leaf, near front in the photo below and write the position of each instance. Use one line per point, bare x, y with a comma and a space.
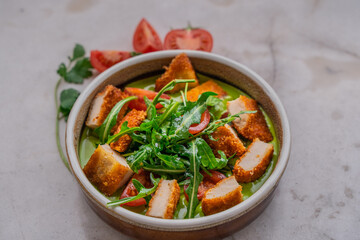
207, 183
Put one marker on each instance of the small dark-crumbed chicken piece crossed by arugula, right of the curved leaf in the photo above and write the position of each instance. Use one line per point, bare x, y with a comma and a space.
134, 119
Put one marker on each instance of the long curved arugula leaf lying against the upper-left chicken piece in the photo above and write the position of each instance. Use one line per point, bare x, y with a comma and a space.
104, 130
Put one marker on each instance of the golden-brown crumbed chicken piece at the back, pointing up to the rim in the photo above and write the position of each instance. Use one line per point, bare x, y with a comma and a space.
179, 68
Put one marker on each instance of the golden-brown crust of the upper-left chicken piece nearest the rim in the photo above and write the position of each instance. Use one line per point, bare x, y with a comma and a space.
112, 95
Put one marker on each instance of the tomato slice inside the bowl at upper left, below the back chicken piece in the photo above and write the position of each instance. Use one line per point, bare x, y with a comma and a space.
139, 104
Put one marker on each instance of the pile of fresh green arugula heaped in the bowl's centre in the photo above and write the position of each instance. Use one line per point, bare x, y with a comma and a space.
163, 145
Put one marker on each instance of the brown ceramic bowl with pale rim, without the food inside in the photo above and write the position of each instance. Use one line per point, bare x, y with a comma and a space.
215, 226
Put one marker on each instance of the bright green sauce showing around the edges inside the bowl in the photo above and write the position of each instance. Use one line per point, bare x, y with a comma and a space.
88, 143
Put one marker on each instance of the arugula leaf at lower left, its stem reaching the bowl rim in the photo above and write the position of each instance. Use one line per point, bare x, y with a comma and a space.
143, 192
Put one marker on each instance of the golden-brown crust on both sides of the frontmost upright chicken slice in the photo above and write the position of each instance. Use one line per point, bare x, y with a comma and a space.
172, 202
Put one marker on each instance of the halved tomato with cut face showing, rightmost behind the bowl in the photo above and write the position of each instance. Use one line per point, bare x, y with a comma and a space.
189, 38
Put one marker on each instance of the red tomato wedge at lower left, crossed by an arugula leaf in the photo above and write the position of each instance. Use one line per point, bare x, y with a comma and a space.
144, 178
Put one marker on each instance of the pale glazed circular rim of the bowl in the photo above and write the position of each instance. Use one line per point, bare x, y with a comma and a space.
178, 224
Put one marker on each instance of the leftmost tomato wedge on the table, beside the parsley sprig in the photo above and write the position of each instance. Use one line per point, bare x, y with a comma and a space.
102, 60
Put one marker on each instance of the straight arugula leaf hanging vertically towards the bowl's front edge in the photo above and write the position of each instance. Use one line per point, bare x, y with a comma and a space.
195, 179
